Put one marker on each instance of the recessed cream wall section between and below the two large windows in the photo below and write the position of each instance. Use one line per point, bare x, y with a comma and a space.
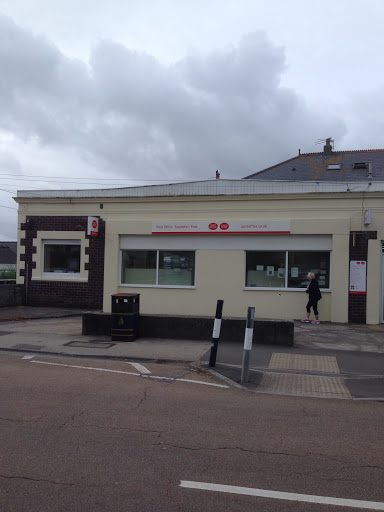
220, 275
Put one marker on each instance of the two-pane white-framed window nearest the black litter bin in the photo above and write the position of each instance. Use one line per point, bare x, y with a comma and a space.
158, 268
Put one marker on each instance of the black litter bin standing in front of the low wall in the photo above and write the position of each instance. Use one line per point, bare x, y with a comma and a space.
125, 316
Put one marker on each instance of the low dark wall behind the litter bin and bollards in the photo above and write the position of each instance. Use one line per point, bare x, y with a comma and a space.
266, 331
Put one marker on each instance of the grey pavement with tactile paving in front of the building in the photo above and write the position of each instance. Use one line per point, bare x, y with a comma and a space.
344, 361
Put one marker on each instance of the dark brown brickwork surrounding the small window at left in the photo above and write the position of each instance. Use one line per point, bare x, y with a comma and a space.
65, 293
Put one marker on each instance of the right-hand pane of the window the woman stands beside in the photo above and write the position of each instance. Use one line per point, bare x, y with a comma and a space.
302, 262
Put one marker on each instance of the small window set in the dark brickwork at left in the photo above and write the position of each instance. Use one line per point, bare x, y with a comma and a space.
61, 257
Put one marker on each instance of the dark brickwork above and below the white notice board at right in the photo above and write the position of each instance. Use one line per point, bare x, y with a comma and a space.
358, 250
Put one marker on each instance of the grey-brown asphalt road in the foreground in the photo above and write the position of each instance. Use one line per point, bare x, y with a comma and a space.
80, 439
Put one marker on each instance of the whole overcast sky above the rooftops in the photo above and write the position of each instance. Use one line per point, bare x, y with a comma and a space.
126, 92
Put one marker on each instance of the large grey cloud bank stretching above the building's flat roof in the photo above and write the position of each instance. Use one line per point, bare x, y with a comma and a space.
130, 115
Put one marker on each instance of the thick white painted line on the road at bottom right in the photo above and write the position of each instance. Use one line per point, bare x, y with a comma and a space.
263, 493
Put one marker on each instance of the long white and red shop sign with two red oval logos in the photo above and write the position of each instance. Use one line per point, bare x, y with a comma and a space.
221, 227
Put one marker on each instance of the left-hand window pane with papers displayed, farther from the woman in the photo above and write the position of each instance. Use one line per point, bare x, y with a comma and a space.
265, 269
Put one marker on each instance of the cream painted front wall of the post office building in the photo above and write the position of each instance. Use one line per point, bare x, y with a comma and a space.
333, 214
